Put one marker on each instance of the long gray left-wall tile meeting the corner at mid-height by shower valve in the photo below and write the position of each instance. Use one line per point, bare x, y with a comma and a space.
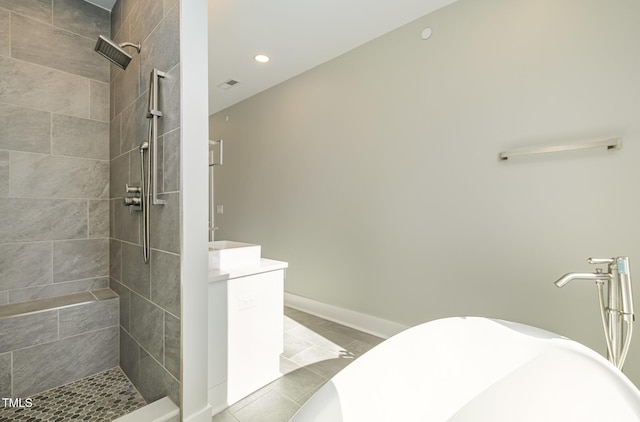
37, 175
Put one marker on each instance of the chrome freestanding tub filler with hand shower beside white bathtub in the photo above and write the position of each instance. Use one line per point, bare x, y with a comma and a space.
618, 311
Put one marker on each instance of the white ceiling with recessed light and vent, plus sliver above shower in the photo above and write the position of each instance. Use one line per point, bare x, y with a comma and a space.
296, 34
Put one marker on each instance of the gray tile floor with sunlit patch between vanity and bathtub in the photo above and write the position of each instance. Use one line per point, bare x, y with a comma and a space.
314, 350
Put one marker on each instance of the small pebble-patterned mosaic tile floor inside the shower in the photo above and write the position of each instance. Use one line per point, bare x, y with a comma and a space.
99, 398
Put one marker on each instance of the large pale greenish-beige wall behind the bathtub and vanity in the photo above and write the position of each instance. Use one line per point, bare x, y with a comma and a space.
376, 175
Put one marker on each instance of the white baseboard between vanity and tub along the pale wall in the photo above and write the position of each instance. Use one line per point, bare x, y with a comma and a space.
367, 323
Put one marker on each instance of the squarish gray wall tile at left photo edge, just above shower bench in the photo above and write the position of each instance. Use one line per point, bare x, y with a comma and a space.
25, 265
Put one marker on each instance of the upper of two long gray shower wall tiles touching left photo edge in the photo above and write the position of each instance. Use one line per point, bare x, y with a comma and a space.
42, 88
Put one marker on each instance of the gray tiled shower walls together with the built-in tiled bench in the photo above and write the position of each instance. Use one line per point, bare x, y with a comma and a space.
70, 125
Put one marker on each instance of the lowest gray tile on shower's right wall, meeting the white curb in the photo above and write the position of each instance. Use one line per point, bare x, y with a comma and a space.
155, 381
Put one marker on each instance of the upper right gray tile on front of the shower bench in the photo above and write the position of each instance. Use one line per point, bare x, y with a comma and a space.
88, 317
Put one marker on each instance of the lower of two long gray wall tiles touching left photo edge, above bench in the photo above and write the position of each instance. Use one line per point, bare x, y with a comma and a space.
31, 219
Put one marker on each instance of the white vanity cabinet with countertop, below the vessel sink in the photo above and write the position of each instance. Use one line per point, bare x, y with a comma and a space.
245, 330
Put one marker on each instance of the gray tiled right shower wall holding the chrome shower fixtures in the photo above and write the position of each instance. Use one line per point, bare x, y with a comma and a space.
149, 293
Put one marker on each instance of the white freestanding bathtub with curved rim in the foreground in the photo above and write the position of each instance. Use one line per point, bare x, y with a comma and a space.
476, 369
